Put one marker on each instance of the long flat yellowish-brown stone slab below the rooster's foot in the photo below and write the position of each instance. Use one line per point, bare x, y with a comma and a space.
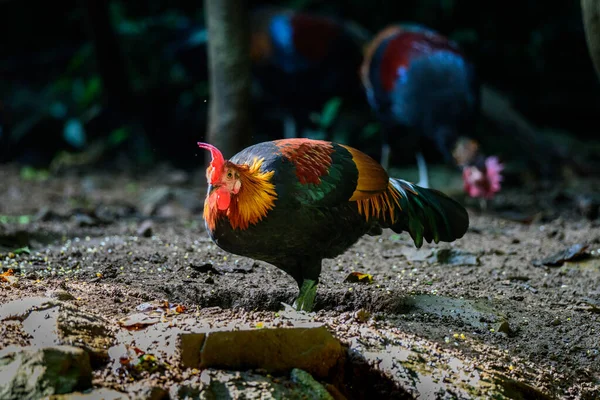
277, 350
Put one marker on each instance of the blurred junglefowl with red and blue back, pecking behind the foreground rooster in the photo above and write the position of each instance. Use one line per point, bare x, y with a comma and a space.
420, 83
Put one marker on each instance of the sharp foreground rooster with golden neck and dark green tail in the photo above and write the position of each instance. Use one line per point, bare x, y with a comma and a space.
294, 202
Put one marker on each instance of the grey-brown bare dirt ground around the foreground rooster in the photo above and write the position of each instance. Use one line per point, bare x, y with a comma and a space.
115, 242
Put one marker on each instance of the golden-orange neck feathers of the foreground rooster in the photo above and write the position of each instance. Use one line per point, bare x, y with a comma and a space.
254, 200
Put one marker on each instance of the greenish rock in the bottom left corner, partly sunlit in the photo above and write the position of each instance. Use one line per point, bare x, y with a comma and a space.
34, 373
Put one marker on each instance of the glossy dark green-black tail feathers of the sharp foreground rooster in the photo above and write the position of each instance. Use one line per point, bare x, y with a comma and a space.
429, 214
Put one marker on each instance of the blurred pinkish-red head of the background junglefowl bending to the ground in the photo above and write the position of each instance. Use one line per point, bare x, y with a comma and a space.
483, 183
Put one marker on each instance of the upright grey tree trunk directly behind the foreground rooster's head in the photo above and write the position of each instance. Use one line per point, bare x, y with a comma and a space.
229, 70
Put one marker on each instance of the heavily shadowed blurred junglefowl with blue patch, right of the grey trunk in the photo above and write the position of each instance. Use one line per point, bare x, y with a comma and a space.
301, 60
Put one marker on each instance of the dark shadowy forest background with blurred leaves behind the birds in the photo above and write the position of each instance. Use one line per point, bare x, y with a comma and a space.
52, 97
